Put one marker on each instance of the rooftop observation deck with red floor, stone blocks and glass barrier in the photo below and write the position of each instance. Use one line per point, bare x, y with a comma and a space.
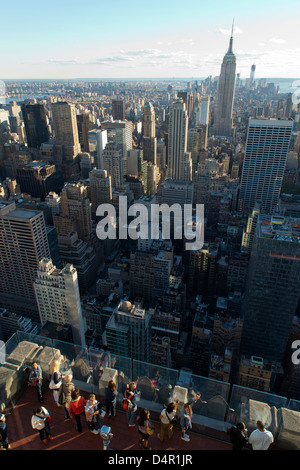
220, 406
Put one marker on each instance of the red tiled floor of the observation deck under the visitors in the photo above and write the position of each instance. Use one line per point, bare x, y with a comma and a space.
23, 437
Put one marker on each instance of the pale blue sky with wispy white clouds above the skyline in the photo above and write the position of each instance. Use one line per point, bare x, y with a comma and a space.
97, 38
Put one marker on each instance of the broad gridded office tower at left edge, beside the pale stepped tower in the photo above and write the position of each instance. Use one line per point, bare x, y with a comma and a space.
23, 243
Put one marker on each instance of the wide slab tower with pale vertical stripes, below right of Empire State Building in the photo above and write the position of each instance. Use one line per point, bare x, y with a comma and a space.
265, 158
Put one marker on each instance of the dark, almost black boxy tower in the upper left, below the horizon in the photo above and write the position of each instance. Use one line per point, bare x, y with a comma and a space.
36, 124
